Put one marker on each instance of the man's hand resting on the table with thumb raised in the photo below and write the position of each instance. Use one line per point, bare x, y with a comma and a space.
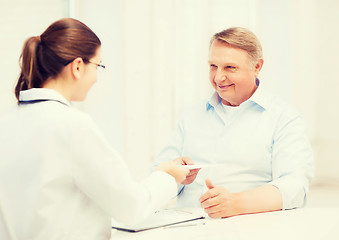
218, 202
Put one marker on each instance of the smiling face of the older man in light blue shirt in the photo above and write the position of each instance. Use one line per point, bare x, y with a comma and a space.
232, 74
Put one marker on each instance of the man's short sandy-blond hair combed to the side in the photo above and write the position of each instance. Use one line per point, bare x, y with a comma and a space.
242, 38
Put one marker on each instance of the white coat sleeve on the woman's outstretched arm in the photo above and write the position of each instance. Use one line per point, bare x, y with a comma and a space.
101, 174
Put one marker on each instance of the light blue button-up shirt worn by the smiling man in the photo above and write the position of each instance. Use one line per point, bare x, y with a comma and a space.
262, 141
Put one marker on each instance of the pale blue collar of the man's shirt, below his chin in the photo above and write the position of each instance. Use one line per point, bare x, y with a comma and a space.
259, 97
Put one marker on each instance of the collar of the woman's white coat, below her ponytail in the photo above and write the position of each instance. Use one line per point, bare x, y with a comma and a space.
43, 94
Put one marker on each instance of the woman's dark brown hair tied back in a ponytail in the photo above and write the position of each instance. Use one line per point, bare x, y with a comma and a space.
45, 56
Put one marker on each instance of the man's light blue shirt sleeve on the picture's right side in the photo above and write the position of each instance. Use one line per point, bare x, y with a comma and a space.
292, 161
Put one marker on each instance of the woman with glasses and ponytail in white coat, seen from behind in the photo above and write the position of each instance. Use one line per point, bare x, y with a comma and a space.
59, 178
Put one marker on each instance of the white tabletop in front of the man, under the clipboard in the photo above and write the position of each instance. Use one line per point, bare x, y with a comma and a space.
298, 224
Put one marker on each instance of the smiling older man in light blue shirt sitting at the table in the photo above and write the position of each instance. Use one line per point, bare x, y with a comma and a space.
253, 144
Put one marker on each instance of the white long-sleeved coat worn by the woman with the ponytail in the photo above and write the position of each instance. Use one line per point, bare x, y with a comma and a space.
60, 179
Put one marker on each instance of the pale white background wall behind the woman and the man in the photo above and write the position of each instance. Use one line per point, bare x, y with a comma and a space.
156, 57
